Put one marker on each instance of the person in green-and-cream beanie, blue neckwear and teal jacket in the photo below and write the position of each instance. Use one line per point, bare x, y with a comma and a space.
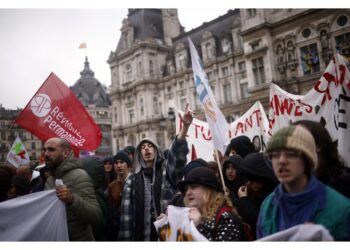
300, 198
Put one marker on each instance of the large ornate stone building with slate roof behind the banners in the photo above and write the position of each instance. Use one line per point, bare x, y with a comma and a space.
243, 52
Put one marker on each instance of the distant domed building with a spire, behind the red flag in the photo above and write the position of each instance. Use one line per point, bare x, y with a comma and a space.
93, 95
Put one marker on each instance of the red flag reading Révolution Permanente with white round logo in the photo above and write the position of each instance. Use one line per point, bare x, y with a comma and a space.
55, 111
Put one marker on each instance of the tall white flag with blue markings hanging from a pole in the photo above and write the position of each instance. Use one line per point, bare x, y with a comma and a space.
216, 120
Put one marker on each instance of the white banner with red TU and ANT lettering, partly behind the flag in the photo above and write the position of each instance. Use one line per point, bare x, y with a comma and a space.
253, 123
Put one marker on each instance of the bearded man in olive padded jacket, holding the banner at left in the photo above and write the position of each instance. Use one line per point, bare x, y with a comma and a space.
77, 191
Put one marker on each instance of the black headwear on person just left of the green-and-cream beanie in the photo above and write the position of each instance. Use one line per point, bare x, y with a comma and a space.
255, 167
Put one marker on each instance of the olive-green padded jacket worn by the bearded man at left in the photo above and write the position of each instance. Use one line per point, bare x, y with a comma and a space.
85, 210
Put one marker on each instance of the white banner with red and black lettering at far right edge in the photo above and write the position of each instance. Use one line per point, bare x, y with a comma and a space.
327, 102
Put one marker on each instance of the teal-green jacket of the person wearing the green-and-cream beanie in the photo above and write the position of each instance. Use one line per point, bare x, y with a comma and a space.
335, 216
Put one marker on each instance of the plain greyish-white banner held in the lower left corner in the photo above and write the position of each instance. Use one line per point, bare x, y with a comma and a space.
39, 216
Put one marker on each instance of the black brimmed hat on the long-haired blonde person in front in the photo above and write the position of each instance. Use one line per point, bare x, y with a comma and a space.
201, 175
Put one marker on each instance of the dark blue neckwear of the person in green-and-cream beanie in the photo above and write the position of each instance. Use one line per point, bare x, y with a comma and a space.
298, 208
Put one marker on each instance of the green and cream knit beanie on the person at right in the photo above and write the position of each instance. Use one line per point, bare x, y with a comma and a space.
297, 138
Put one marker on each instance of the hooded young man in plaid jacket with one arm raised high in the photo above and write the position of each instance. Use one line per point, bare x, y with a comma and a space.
148, 191
